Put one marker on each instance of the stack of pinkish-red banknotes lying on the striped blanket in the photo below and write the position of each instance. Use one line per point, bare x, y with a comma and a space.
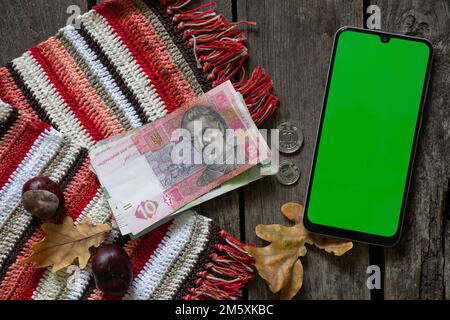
197, 153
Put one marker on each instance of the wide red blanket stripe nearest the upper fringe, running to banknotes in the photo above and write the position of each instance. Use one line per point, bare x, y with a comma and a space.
116, 14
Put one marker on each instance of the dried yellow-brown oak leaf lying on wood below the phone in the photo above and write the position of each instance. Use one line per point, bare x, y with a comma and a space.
279, 263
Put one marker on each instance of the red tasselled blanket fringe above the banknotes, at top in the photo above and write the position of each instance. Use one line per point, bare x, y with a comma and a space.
219, 49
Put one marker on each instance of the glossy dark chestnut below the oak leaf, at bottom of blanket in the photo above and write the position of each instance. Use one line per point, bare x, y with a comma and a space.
112, 270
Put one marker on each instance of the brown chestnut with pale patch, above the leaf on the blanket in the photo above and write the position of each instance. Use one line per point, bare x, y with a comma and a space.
42, 197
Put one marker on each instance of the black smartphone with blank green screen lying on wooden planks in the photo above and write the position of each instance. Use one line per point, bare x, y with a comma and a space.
369, 126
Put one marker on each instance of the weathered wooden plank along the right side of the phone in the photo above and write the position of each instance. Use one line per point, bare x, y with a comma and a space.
419, 267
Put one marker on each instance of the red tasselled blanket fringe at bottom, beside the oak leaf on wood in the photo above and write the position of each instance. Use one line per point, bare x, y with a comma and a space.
229, 268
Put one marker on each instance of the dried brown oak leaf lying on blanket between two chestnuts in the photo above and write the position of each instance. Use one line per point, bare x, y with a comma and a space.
65, 242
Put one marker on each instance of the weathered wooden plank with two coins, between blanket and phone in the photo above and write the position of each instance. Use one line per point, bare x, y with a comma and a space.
293, 42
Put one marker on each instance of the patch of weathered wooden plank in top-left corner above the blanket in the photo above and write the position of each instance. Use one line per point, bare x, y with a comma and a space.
26, 23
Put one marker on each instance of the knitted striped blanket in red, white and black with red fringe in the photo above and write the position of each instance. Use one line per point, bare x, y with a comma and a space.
130, 63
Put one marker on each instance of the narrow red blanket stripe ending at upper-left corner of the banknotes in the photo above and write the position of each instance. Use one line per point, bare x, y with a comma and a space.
66, 93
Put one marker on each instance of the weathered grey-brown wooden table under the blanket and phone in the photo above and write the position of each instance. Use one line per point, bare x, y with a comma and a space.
293, 41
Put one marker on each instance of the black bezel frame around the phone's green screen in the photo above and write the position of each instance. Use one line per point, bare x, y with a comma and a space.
351, 234
